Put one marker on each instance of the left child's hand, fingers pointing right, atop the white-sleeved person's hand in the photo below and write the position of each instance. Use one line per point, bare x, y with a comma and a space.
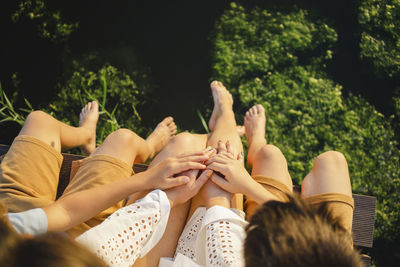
161, 176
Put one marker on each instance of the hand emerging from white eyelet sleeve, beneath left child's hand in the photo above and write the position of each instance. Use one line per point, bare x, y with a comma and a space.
183, 193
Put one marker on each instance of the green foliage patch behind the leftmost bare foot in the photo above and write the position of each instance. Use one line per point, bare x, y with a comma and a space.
115, 91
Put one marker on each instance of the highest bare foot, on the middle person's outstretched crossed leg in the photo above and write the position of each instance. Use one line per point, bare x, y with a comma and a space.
222, 100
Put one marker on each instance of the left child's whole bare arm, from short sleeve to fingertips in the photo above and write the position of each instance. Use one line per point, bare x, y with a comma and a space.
69, 211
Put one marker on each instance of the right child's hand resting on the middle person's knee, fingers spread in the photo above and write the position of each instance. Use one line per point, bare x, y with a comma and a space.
236, 179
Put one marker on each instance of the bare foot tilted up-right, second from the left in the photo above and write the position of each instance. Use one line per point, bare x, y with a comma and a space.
161, 135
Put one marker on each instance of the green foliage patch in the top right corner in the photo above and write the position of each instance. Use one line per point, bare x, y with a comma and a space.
380, 38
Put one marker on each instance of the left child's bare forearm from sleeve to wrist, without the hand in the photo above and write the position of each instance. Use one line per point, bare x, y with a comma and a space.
73, 209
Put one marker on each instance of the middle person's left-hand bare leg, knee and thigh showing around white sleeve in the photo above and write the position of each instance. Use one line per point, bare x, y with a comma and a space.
179, 144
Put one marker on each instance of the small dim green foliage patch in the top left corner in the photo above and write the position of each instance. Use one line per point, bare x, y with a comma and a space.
50, 24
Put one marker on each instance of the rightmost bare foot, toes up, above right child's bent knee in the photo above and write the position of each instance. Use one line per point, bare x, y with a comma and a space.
254, 124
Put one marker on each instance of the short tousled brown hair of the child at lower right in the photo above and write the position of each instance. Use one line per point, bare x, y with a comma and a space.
297, 234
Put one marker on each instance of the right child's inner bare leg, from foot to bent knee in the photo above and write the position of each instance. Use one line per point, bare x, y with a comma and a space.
266, 160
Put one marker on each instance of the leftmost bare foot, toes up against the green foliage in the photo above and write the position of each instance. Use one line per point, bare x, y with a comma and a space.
88, 119
